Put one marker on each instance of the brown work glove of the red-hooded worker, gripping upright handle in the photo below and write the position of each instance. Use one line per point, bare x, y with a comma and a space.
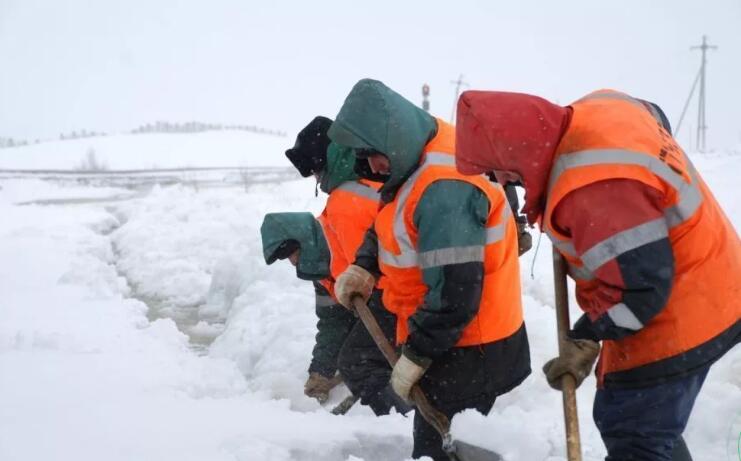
577, 359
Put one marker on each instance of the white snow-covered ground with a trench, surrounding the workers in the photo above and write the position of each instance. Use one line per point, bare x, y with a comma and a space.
212, 366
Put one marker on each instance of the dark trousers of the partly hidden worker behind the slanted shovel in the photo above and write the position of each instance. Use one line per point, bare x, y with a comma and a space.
363, 367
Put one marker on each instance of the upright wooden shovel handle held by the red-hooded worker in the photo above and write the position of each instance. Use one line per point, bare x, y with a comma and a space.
568, 383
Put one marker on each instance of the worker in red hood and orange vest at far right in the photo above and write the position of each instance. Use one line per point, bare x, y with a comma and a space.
657, 264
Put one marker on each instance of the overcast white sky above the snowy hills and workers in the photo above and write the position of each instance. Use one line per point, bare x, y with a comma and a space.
112, 65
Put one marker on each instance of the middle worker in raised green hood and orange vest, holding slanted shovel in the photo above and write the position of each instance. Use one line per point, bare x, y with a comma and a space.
445, 246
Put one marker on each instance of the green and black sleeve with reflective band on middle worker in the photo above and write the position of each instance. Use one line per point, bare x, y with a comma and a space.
451, 221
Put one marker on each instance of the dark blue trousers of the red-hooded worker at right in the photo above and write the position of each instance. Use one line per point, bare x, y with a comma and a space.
647, 423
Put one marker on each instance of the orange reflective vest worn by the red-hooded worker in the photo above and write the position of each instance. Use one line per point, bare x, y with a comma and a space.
611, 135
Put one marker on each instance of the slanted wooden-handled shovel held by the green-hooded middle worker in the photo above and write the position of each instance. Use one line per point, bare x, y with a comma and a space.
455, 449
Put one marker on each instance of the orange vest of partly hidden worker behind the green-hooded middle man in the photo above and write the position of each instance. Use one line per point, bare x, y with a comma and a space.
350, 211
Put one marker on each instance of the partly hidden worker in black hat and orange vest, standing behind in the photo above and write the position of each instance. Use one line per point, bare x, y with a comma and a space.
351, 207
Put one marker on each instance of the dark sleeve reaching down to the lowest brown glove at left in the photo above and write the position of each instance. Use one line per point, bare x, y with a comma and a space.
333, 325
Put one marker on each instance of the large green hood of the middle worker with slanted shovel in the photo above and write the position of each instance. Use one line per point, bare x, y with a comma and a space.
375, 117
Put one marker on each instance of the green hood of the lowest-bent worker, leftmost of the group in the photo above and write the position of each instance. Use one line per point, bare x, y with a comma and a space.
313, 261
